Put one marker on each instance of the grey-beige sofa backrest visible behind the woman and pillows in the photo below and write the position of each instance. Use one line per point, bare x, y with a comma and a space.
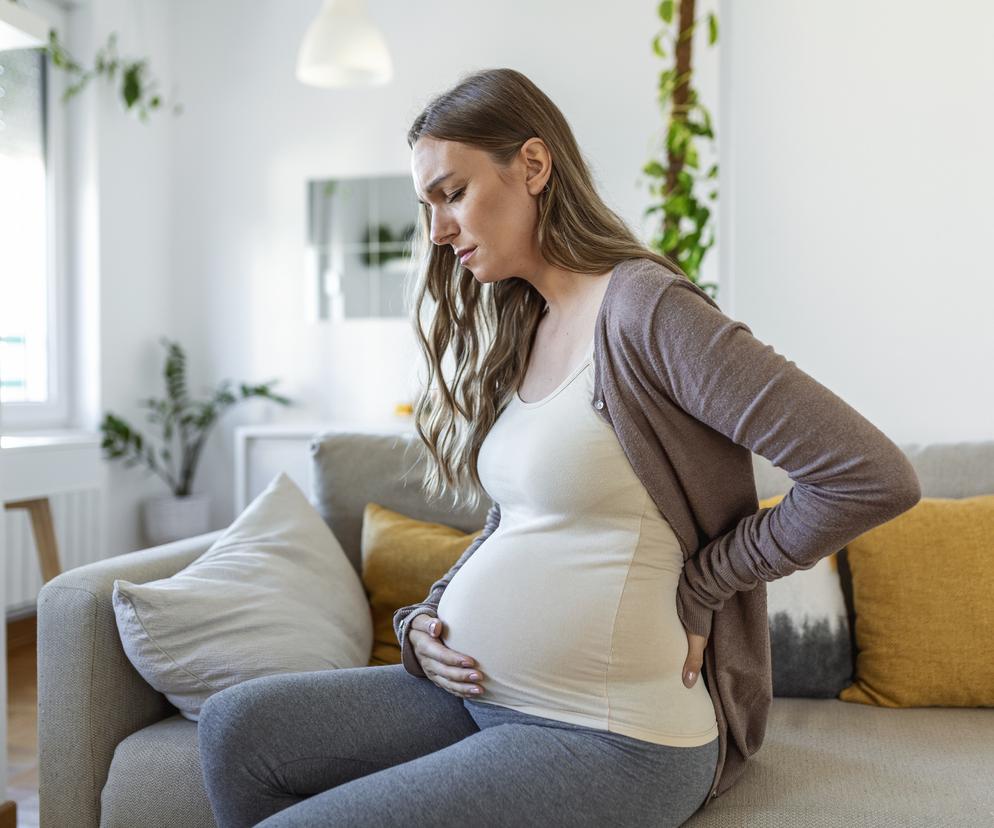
350, 469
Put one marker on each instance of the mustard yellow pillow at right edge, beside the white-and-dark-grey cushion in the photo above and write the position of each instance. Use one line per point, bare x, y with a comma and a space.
922, 586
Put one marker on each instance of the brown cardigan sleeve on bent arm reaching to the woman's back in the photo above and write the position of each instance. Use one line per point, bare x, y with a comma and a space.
848, 476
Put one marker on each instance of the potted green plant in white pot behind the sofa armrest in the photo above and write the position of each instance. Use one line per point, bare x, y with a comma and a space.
185, 422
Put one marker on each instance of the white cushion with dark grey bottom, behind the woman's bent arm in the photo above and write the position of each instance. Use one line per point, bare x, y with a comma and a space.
810, 639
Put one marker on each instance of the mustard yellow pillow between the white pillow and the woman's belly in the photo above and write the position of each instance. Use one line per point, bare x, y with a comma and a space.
401, 559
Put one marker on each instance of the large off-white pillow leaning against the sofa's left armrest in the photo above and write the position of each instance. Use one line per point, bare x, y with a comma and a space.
274, 594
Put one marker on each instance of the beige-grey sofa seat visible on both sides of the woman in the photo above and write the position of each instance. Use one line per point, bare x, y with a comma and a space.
823, 763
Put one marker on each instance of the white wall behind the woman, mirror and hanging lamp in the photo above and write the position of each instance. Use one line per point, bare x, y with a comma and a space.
854, 192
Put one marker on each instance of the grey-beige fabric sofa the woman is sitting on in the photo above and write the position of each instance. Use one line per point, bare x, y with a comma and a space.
114, 752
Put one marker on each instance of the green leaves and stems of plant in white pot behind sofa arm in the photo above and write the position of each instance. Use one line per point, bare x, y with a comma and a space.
184, 421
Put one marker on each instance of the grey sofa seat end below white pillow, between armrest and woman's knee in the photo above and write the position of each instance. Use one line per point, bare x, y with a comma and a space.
155, 780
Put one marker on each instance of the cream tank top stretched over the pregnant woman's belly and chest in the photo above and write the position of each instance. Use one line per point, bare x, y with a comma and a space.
569, 606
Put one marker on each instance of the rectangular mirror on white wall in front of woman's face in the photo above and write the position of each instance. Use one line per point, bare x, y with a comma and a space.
359, 245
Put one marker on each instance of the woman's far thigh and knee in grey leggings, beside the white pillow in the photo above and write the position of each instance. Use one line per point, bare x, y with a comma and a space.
269, 742
